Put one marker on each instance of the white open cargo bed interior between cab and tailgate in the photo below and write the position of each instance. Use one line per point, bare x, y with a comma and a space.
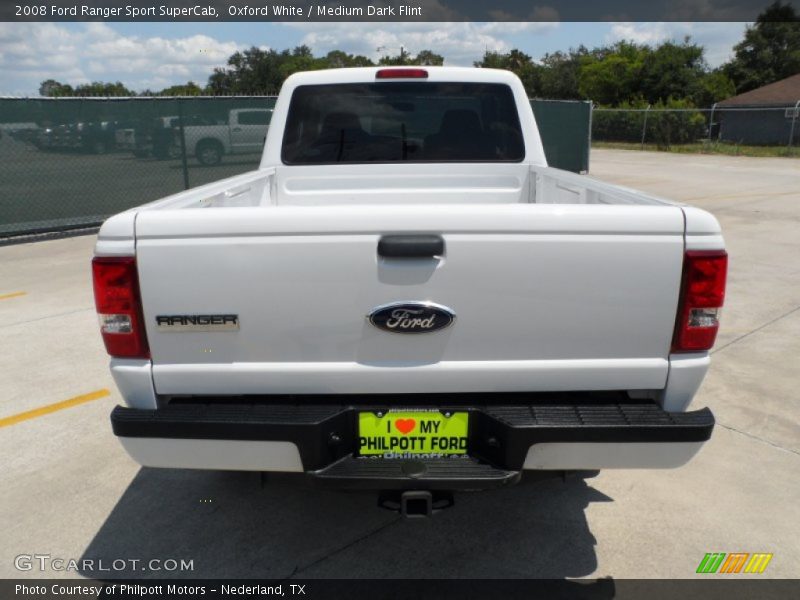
404, 184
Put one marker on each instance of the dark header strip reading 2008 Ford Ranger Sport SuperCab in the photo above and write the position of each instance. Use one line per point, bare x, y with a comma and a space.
384, 10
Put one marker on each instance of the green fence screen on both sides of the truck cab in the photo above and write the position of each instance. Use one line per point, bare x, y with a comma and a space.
70, 163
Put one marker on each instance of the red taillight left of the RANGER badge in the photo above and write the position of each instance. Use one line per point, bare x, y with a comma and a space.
116, 296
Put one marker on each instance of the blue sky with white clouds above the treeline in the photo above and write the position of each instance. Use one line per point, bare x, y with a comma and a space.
157, 55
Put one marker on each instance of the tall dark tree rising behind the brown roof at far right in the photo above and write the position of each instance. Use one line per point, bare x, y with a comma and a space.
770, 50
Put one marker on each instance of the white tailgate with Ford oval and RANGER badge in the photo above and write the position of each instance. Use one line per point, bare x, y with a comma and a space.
547, 297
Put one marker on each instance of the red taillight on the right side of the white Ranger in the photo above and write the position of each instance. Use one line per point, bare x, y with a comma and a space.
702, 296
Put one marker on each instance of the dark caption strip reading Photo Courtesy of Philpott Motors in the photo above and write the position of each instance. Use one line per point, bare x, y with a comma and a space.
732, 588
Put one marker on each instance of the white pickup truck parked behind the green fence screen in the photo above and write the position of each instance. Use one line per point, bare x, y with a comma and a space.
242, 133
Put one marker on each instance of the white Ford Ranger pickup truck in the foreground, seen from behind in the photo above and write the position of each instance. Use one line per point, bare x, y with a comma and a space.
404, 296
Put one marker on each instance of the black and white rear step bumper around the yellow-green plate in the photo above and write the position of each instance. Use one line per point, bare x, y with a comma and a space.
508, 435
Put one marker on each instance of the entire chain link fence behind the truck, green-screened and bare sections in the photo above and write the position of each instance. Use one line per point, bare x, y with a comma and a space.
69, 163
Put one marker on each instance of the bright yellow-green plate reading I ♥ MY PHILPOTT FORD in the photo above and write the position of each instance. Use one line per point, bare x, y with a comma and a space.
404, 433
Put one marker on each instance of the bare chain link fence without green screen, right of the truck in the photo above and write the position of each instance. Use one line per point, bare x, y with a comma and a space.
668, 127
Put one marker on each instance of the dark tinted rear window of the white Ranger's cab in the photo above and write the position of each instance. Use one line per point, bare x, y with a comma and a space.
388, 122
